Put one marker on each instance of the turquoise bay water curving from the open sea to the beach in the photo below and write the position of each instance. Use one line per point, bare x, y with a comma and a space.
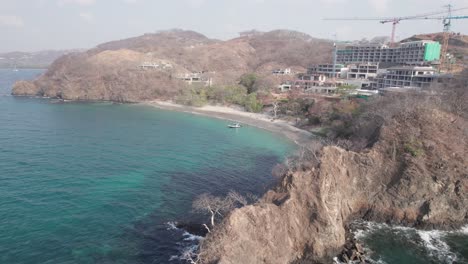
98, 182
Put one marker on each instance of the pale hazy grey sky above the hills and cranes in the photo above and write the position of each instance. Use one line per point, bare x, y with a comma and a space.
33, 25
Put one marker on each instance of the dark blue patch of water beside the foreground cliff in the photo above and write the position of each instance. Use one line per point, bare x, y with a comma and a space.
157, 240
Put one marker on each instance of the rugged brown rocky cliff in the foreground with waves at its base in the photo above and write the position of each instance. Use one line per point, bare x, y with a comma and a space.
303, 221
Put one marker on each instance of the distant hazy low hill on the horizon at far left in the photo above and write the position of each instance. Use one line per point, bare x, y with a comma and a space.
40, 59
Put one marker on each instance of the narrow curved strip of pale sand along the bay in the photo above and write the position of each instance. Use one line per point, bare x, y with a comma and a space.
262, 121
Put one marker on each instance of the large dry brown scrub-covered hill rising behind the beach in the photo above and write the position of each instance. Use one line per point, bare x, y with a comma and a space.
110, 71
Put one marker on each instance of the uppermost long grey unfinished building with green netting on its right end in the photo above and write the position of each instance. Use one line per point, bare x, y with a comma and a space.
412, 53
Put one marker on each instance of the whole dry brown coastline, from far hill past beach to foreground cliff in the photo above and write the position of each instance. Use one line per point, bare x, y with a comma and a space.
398, 158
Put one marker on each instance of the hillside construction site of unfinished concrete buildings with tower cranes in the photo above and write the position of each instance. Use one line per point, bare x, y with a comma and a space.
370, 68
